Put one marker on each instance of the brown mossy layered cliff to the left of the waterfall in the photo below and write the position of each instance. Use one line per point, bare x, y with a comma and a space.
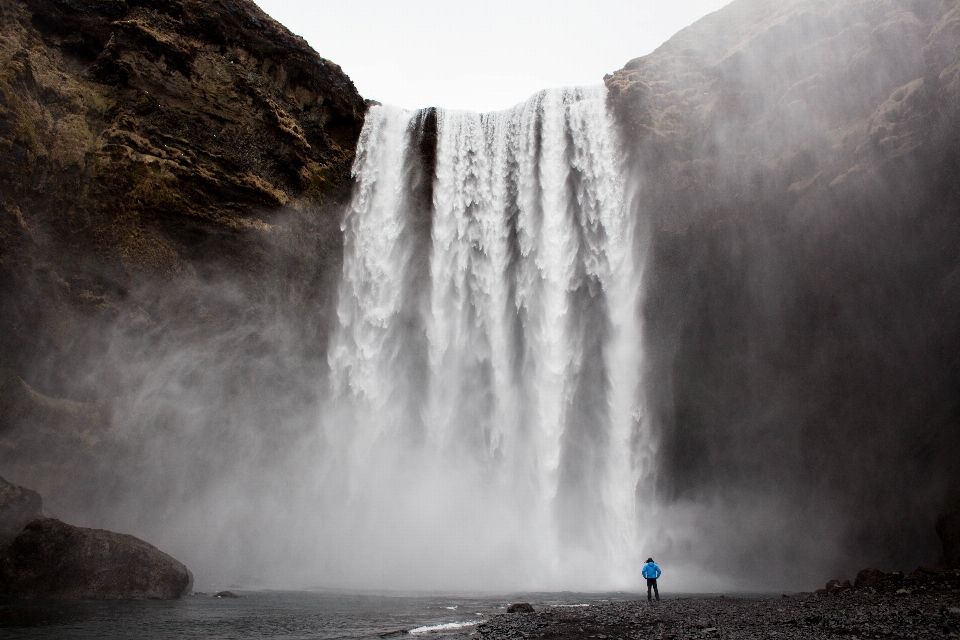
166, 168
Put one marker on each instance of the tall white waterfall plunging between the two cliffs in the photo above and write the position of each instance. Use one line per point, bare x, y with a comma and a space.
485, 405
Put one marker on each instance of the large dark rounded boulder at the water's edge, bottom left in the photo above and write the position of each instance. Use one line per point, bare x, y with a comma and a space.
54, 560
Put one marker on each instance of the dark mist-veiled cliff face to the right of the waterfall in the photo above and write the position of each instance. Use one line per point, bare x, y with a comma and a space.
799, 168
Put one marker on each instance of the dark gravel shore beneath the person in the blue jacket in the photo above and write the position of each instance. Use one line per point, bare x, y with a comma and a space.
903, 610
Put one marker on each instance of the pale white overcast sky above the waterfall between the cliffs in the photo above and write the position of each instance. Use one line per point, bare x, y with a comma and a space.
483, 55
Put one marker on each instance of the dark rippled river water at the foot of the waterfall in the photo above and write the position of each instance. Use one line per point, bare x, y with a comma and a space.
272, 614
